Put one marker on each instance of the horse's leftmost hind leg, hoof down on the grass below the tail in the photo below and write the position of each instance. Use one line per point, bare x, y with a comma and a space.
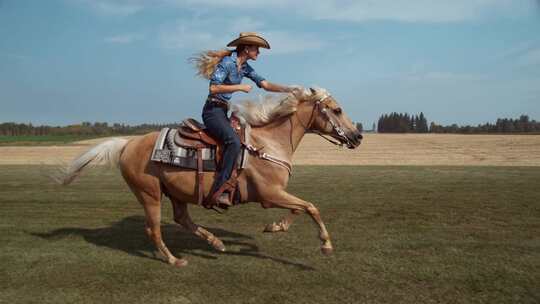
152, 209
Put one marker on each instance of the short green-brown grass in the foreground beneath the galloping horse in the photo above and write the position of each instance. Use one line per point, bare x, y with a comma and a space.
401, 235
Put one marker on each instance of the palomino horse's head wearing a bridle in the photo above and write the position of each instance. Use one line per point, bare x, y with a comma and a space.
328, 118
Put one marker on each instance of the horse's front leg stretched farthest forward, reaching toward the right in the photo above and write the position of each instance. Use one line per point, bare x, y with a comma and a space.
282, 199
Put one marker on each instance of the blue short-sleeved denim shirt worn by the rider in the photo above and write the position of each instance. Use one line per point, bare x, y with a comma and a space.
227, 73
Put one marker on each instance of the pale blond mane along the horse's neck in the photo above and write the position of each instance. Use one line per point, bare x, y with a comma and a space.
272, 107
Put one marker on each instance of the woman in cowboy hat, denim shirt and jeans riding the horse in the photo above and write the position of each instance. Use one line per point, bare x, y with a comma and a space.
228, 68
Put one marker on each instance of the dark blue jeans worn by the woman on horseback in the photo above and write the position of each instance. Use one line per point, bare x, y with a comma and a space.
218, 125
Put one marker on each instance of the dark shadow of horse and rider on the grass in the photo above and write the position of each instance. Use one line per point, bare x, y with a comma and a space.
128, 235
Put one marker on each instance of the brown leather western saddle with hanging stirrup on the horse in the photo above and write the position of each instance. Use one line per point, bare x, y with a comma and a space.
192, 134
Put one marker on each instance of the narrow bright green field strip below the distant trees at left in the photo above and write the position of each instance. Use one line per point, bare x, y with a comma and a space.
41, 140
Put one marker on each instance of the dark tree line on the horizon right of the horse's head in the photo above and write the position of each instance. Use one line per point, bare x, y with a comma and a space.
405, 123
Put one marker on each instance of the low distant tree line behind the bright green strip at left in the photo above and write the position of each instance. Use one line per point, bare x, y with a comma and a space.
85, 128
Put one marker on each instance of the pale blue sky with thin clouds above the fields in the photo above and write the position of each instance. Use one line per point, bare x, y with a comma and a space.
462, 61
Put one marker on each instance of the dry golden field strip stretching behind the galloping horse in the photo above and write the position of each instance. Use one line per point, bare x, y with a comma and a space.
376, 149
